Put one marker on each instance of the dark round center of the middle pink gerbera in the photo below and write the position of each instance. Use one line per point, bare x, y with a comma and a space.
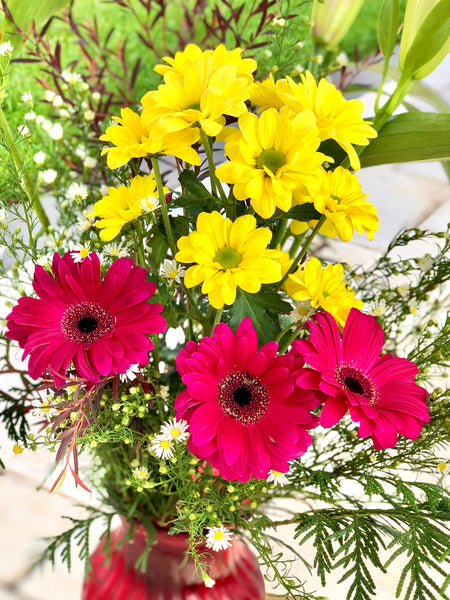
243, 397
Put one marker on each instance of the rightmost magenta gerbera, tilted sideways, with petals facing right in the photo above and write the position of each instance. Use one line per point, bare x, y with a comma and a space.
379, 391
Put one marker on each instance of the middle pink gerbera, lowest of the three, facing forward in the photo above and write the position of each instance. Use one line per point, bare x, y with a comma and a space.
245, 412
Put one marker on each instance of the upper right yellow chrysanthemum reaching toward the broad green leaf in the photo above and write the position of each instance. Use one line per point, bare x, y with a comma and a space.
337, 118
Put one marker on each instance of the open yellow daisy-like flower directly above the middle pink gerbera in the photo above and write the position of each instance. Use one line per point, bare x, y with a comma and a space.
228, 255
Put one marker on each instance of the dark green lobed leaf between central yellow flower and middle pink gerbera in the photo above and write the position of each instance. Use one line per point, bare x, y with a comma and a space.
257, 307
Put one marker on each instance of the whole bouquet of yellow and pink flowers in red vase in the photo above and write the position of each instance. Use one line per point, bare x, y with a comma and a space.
192, 341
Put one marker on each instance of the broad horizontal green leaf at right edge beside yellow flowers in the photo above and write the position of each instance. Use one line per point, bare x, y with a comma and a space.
410, 137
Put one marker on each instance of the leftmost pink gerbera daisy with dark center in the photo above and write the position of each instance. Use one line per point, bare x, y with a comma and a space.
99, 326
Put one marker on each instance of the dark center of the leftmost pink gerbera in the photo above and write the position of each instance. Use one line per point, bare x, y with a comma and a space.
86, 322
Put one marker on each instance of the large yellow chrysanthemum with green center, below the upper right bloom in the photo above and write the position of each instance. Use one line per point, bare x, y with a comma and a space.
270, 156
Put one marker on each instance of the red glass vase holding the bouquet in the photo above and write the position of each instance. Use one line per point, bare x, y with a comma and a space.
170, 574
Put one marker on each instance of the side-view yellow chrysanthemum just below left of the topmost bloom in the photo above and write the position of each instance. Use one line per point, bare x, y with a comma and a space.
134, 137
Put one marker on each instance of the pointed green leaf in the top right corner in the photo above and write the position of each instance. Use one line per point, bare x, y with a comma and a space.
429, 40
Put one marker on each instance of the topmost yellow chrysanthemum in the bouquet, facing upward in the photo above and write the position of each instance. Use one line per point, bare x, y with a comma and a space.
199, 89
